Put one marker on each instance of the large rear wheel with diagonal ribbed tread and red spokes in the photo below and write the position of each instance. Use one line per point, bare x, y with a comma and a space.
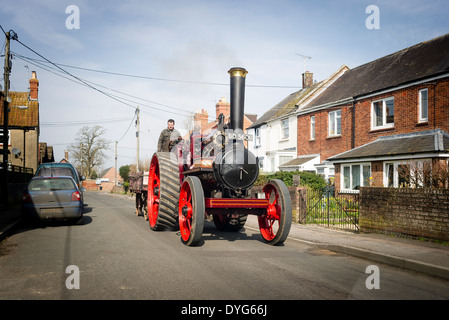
163, 192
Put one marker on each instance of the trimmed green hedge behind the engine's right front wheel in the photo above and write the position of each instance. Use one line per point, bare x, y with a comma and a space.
307, 179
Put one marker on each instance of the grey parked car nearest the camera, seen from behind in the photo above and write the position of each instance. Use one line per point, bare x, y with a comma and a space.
53, 198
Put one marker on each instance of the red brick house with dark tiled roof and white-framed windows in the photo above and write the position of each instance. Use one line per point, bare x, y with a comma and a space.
362, 123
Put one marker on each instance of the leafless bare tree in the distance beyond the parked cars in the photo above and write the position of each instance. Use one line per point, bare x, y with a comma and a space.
88, 150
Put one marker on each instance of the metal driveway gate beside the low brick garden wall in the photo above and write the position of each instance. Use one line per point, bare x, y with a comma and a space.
326, 208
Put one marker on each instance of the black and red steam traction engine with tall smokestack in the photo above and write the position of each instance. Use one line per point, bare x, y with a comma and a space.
212, 175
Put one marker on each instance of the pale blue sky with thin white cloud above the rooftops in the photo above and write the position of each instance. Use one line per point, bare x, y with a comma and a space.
171, 58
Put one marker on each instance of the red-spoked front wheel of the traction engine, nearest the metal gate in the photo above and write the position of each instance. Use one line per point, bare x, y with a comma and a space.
275, 224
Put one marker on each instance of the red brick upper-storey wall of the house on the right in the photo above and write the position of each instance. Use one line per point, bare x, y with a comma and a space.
405, 120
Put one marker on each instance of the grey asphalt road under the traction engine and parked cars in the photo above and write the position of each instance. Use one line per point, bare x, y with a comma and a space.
114, 255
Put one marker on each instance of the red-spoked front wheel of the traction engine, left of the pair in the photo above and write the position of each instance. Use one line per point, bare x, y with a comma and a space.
191, 211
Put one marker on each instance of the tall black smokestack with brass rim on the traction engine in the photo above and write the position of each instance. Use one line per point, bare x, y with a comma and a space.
237, 97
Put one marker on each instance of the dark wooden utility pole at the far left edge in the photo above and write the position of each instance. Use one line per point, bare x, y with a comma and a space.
7, 70
